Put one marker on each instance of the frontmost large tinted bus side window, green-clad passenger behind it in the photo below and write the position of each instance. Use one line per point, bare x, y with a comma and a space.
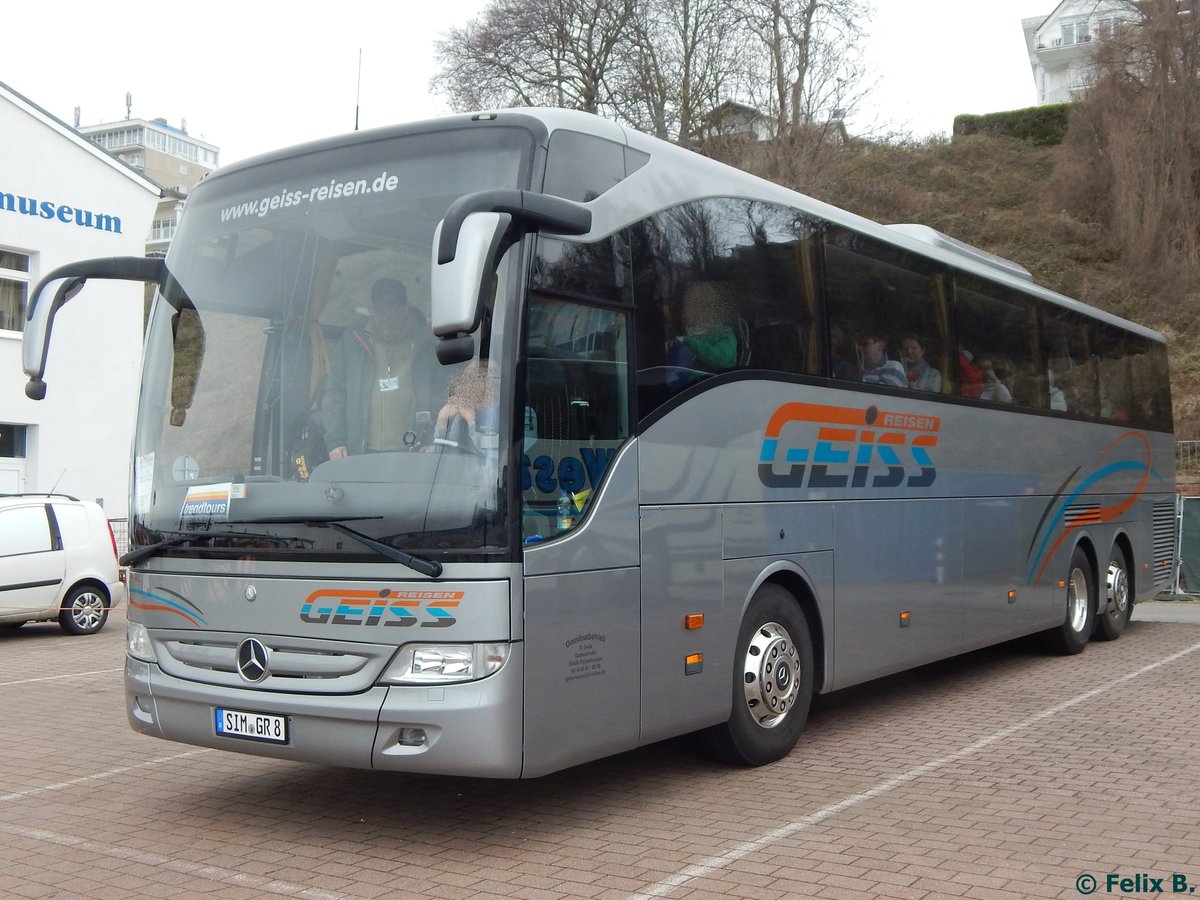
722, 285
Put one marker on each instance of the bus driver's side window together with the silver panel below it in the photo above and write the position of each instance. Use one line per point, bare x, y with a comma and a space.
583, 584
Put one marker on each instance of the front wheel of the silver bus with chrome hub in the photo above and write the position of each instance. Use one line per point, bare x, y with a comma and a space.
772, 682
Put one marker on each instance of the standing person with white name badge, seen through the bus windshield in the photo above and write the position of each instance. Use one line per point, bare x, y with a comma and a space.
381, 376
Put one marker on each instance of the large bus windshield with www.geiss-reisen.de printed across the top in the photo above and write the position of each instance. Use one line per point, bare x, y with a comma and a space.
291, 389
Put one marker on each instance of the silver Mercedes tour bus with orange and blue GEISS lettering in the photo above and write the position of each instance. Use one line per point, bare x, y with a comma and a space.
505, 442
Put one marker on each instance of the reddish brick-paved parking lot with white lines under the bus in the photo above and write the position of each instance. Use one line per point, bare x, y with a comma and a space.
1001, 775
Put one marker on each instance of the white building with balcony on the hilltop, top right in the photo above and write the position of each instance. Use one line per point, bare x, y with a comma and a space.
1063, 45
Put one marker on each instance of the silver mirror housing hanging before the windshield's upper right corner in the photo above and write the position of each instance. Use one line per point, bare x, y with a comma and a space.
460, 285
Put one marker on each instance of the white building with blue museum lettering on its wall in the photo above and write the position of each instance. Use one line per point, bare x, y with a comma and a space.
64, 200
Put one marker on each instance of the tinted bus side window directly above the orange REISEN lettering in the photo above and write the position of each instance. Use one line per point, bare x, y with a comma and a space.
887, 316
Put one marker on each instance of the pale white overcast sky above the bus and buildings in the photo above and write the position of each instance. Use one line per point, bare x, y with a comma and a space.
259, 75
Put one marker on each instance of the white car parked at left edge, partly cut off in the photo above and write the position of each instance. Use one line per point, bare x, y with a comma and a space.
58, 561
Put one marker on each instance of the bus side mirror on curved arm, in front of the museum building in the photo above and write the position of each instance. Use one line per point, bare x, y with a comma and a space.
44, 307
